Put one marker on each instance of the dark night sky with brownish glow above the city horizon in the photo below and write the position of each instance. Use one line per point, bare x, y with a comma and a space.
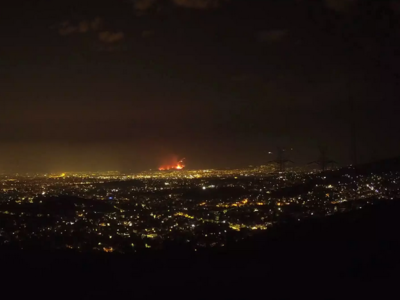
109, 84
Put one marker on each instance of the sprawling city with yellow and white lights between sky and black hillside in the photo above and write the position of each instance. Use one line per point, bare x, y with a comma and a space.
110, 211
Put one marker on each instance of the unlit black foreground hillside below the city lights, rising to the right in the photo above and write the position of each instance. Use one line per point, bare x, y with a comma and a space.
343, 256
